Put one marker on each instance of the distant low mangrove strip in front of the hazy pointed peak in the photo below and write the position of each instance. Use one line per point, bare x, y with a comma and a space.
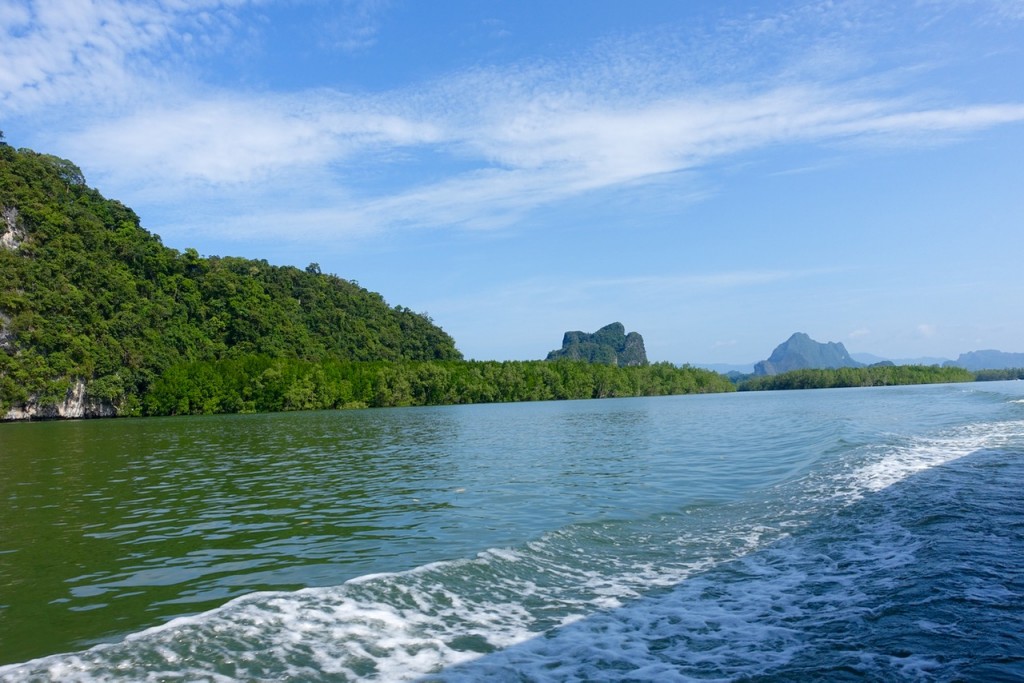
858, 377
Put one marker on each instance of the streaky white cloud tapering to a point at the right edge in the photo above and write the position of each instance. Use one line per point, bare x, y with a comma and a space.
547, 151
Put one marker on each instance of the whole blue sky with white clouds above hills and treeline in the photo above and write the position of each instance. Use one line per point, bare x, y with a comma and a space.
714, 176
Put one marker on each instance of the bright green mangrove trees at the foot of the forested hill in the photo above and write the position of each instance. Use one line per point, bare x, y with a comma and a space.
261, 383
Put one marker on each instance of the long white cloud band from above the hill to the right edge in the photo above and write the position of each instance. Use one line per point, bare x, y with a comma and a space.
529, 157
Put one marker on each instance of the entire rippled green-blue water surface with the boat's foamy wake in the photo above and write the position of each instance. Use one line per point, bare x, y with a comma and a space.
828, 535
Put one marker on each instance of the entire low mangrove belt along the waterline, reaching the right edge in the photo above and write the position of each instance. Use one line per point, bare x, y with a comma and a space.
266, 385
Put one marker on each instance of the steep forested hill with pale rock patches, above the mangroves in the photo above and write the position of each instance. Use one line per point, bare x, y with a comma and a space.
92, 305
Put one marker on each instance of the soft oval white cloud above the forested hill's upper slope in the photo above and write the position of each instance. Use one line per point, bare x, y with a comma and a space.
238, 140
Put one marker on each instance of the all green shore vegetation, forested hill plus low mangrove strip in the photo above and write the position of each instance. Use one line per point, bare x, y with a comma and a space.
100, 319
